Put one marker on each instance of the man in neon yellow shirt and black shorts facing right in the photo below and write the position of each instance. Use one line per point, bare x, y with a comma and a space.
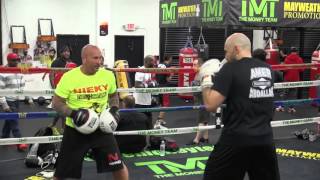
87, 87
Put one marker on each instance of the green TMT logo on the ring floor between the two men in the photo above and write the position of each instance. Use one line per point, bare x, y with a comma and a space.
164, 168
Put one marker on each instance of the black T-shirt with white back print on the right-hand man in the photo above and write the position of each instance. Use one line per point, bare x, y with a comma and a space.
247, 85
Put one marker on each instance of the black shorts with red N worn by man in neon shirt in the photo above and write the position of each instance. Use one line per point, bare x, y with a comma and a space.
74, 147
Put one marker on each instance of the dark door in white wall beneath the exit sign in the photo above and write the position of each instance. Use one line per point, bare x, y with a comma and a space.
130, 48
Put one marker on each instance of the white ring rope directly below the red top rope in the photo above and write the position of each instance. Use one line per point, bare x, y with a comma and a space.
162, 90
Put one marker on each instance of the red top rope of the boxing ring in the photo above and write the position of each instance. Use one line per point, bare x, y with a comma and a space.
27, 70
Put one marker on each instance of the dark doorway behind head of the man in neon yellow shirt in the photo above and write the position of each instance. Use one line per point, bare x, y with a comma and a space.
76, 42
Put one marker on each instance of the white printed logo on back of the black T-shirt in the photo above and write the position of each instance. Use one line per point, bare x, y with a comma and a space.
261, 86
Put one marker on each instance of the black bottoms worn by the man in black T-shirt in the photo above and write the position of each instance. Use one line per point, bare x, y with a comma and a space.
230, 162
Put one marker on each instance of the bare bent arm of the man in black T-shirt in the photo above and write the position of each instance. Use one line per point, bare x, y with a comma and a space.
212, 99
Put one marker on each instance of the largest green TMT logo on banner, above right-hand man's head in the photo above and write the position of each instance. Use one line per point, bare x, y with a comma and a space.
254, 12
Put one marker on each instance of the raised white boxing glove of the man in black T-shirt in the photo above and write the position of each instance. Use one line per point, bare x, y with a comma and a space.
207, 72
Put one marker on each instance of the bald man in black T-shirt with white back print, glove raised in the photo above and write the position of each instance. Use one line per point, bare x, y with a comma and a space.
246, 142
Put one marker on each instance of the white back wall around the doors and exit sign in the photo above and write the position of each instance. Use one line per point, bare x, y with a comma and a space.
84, 17
